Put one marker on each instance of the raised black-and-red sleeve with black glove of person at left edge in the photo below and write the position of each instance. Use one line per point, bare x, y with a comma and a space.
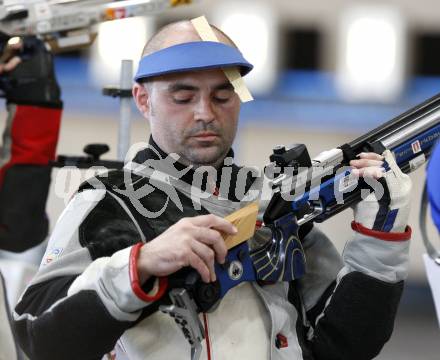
29, 143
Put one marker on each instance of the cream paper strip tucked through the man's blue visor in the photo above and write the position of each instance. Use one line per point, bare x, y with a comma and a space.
232, 74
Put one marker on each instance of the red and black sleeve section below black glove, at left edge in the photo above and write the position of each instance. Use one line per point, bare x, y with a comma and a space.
29, 143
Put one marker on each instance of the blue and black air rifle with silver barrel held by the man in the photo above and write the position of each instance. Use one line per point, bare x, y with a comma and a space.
305, 190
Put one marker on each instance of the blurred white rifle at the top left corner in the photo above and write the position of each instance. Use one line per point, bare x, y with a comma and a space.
68, 24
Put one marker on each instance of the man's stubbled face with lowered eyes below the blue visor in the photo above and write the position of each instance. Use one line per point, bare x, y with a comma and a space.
193, 114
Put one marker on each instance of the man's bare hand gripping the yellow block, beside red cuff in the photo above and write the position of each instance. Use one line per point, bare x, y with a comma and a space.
195, 242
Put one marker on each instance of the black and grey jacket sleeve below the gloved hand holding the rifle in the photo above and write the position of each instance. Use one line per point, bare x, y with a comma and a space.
350, 303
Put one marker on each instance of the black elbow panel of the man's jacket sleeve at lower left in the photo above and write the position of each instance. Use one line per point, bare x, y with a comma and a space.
85, 330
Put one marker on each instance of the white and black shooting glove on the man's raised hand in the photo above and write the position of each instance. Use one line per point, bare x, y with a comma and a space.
387, 208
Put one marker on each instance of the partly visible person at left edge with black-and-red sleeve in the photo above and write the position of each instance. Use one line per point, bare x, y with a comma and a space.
30, 136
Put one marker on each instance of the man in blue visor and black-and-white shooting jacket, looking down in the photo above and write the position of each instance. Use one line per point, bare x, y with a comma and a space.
122, 238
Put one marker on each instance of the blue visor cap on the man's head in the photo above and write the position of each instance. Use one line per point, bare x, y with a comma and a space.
191, 56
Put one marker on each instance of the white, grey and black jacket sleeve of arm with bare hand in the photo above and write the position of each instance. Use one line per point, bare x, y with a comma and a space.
81, 300
